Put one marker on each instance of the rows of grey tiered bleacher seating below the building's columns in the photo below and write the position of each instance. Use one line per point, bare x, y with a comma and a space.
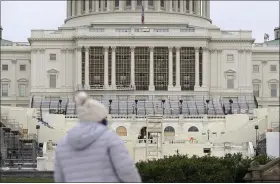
171, 106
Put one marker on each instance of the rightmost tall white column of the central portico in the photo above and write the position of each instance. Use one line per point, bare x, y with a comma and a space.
205, 68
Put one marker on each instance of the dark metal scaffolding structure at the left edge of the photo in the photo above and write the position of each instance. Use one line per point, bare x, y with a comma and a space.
17, 150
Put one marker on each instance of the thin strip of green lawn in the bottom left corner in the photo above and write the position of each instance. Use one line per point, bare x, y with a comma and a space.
27, 180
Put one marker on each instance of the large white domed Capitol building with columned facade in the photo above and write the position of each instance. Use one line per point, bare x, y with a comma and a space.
142, 58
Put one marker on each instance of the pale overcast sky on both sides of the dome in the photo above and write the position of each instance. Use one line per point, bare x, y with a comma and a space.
19, 17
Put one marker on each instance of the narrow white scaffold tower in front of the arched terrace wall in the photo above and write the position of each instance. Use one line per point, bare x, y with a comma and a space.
154, 137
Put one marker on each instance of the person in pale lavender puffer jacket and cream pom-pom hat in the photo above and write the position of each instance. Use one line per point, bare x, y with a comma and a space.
90, 152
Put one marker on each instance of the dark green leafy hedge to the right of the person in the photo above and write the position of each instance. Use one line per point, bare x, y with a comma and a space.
207, 169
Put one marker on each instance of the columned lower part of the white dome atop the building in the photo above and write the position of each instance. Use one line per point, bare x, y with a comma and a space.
89, 12
